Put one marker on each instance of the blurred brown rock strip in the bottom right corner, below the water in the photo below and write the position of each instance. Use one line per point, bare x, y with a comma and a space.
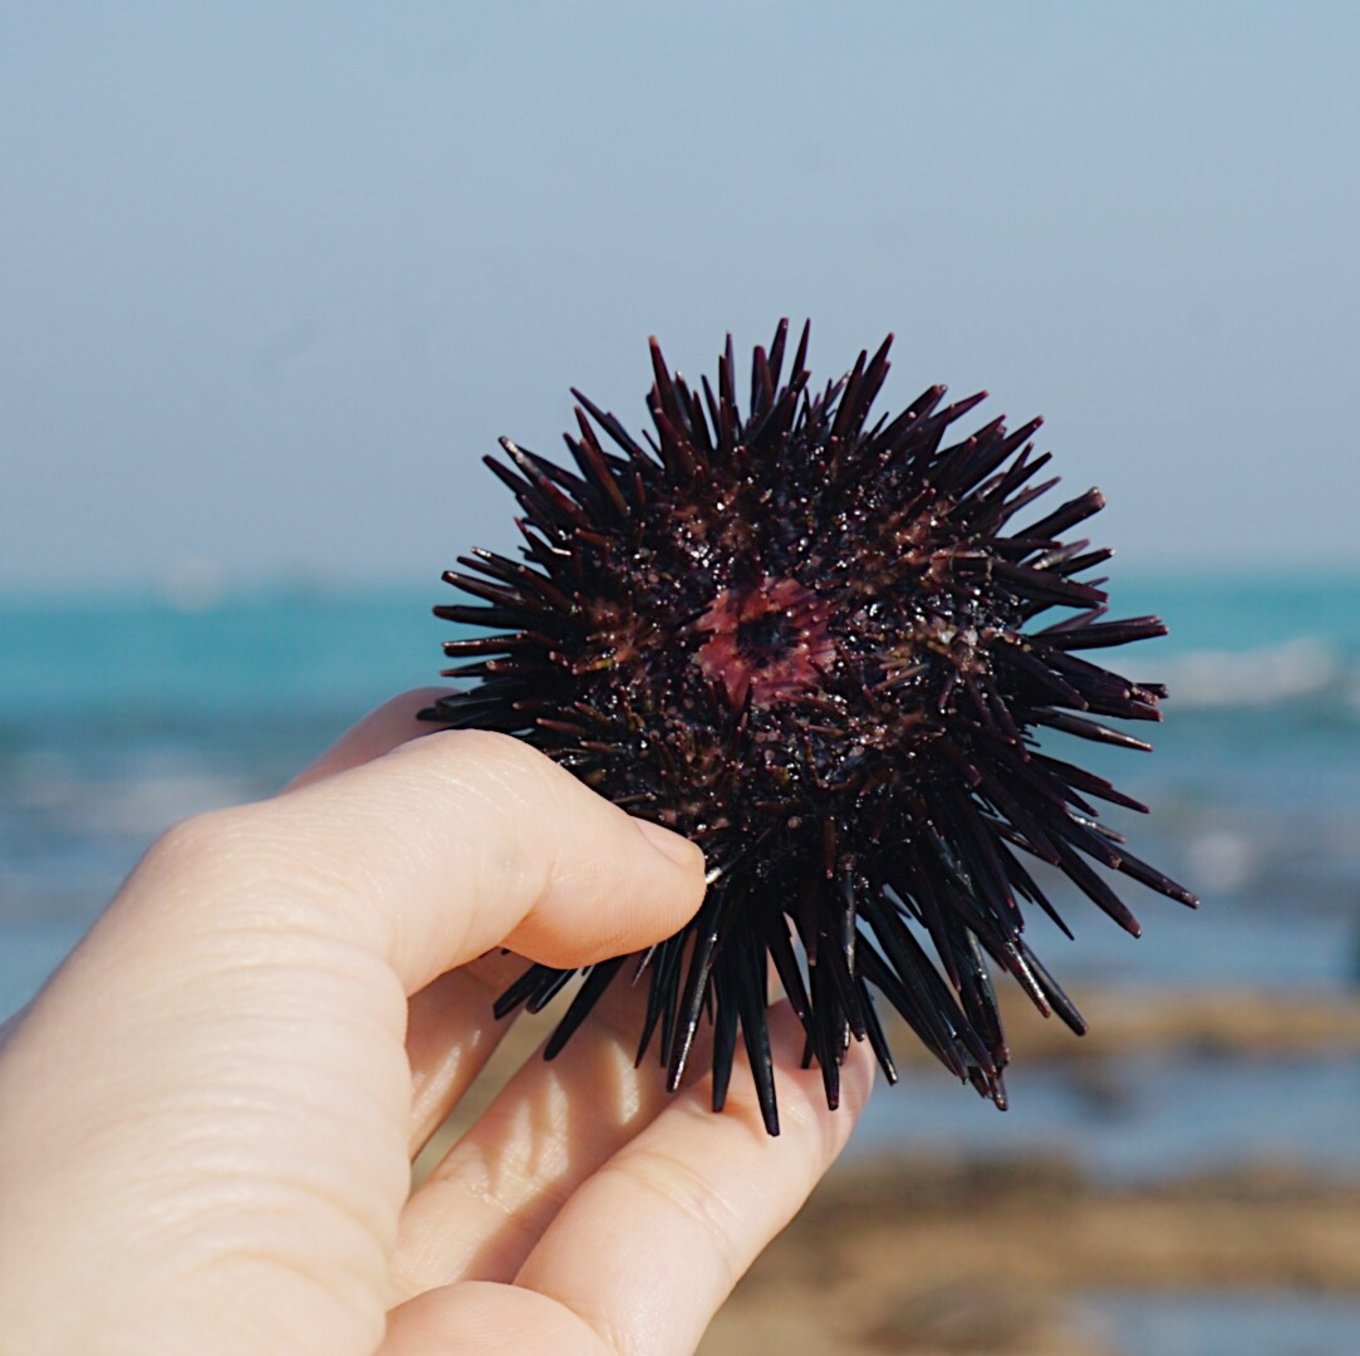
916, 1255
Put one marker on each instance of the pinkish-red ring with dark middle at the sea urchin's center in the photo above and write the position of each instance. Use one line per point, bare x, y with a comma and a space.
766, 644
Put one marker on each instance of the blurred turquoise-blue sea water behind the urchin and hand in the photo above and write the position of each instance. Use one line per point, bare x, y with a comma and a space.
120, 715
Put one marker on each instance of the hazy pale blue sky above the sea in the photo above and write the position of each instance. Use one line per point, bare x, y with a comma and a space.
274, 277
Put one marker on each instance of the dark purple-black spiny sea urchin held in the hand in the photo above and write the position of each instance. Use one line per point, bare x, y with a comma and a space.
809, 643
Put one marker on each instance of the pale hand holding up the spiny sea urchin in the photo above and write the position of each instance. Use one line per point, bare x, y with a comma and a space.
207, 1119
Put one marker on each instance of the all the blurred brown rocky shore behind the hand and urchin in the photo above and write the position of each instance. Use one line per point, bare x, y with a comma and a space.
993, 1253
